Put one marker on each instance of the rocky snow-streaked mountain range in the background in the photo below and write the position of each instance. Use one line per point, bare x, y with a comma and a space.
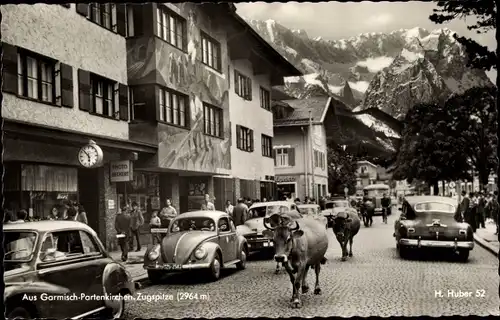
390, 71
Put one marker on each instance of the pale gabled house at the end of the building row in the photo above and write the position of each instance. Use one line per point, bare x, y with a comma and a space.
300, 147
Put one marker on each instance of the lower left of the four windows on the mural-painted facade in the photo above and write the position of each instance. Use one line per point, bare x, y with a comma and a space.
174, 107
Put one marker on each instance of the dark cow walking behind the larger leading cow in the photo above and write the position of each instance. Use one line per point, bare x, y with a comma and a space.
345, 226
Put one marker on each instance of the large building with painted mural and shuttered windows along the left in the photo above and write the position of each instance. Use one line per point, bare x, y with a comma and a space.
151, 85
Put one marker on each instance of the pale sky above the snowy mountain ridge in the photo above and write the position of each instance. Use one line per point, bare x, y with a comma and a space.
338, 20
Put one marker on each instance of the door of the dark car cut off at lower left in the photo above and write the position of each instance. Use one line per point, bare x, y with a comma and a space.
65, 268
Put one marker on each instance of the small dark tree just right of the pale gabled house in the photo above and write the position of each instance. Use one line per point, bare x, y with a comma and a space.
342, 168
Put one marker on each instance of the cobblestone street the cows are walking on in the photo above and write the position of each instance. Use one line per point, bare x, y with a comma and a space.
375, 282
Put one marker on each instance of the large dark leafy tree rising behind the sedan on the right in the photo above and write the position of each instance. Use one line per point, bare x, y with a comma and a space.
429, 148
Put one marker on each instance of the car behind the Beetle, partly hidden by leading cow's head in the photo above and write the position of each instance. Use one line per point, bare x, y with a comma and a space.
254, 225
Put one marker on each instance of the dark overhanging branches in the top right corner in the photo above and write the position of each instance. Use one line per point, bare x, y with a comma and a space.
485, 11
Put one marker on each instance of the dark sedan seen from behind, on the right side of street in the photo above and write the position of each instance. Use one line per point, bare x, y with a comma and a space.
428, 222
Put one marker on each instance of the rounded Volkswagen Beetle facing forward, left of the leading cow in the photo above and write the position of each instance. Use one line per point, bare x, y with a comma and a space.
197, 240
